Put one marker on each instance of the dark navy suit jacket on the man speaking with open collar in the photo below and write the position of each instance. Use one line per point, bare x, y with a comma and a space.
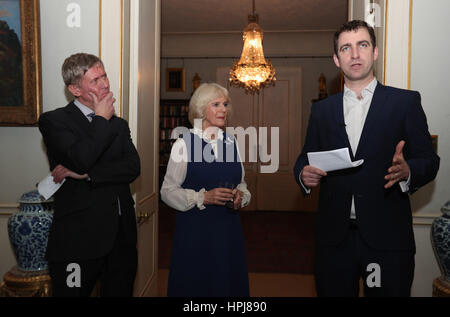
383, 215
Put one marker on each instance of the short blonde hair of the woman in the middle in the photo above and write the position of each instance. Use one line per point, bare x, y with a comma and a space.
202, 96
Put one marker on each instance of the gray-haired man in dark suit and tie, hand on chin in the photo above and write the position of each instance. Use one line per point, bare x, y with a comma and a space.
94, 227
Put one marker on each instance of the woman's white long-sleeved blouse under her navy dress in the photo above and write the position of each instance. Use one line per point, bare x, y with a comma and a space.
183, 199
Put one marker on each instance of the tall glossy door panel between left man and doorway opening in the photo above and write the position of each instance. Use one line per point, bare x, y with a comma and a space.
144, 124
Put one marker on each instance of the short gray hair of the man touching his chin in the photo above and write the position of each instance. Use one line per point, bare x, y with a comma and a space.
75, 66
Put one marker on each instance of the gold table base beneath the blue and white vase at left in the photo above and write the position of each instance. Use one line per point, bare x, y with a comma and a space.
18, 283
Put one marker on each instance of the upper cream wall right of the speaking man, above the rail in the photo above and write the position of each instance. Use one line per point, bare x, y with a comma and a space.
430, 65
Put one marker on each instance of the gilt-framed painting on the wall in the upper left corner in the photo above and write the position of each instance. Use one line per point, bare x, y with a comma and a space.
20, 68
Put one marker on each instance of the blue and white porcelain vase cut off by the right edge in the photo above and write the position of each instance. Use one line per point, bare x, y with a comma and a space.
440, 238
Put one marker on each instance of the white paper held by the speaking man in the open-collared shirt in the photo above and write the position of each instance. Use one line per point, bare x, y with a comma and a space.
332, 160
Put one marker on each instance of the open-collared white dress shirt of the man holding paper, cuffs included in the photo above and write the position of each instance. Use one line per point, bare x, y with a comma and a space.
355, 114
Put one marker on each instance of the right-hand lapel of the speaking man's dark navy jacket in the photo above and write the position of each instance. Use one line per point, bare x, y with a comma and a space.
373, 119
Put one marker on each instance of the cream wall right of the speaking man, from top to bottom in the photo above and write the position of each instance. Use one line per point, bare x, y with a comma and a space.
429, 75
